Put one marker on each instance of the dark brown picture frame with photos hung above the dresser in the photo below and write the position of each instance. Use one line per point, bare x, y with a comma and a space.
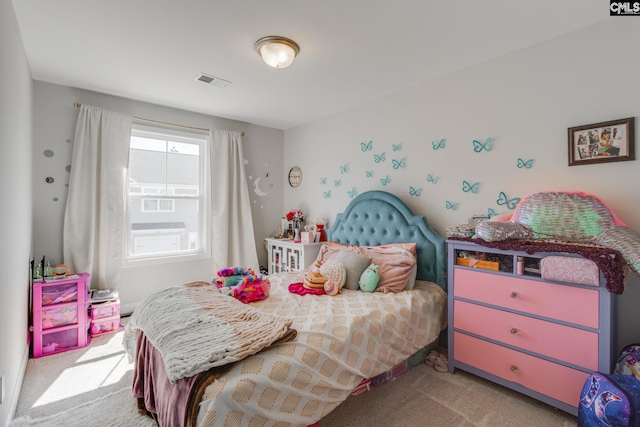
612, 141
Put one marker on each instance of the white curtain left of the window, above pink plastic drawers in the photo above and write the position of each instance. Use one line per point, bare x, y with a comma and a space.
94, 222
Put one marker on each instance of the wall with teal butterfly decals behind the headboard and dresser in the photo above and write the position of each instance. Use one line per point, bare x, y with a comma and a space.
525, 101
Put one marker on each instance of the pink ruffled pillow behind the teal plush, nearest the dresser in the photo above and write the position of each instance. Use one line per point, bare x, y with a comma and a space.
396, 266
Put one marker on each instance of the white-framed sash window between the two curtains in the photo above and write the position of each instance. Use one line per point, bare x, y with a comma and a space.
166, 192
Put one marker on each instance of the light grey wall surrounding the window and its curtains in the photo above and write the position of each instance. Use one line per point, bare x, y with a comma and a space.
54, 128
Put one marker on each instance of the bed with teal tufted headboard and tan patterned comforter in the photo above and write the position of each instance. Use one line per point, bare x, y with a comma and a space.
329, 345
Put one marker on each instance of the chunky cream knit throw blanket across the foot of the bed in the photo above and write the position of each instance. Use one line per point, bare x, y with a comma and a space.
196, 328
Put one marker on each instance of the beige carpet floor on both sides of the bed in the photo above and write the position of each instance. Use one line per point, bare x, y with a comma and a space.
67, 388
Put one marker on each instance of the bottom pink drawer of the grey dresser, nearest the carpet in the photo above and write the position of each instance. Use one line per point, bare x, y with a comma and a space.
551, 379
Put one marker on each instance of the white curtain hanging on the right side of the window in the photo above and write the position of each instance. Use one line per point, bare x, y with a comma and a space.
232, 230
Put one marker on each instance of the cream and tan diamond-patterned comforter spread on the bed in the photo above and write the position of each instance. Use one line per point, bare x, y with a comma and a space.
341, 340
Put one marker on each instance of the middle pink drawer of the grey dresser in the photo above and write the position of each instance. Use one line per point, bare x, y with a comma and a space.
575, 346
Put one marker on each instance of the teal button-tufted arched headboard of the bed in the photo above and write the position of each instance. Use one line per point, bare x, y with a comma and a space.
379, 218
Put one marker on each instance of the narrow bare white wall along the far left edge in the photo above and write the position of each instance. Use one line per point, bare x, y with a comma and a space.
16, 112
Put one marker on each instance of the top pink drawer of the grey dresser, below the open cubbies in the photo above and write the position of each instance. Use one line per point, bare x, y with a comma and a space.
565, 303
